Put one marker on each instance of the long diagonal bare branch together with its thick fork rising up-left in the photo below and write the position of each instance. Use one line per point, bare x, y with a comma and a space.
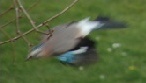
40, 25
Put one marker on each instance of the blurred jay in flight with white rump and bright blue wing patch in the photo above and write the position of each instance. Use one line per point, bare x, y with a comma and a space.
70, 42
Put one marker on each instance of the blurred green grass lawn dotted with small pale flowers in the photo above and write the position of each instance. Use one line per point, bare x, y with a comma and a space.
122, 64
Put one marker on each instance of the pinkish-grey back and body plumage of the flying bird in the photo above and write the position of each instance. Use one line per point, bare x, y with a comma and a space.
64, 38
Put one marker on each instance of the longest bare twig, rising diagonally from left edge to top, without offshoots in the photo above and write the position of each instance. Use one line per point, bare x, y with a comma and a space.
42, 24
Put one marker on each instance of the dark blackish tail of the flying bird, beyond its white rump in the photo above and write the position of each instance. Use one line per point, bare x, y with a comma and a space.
108, 23
